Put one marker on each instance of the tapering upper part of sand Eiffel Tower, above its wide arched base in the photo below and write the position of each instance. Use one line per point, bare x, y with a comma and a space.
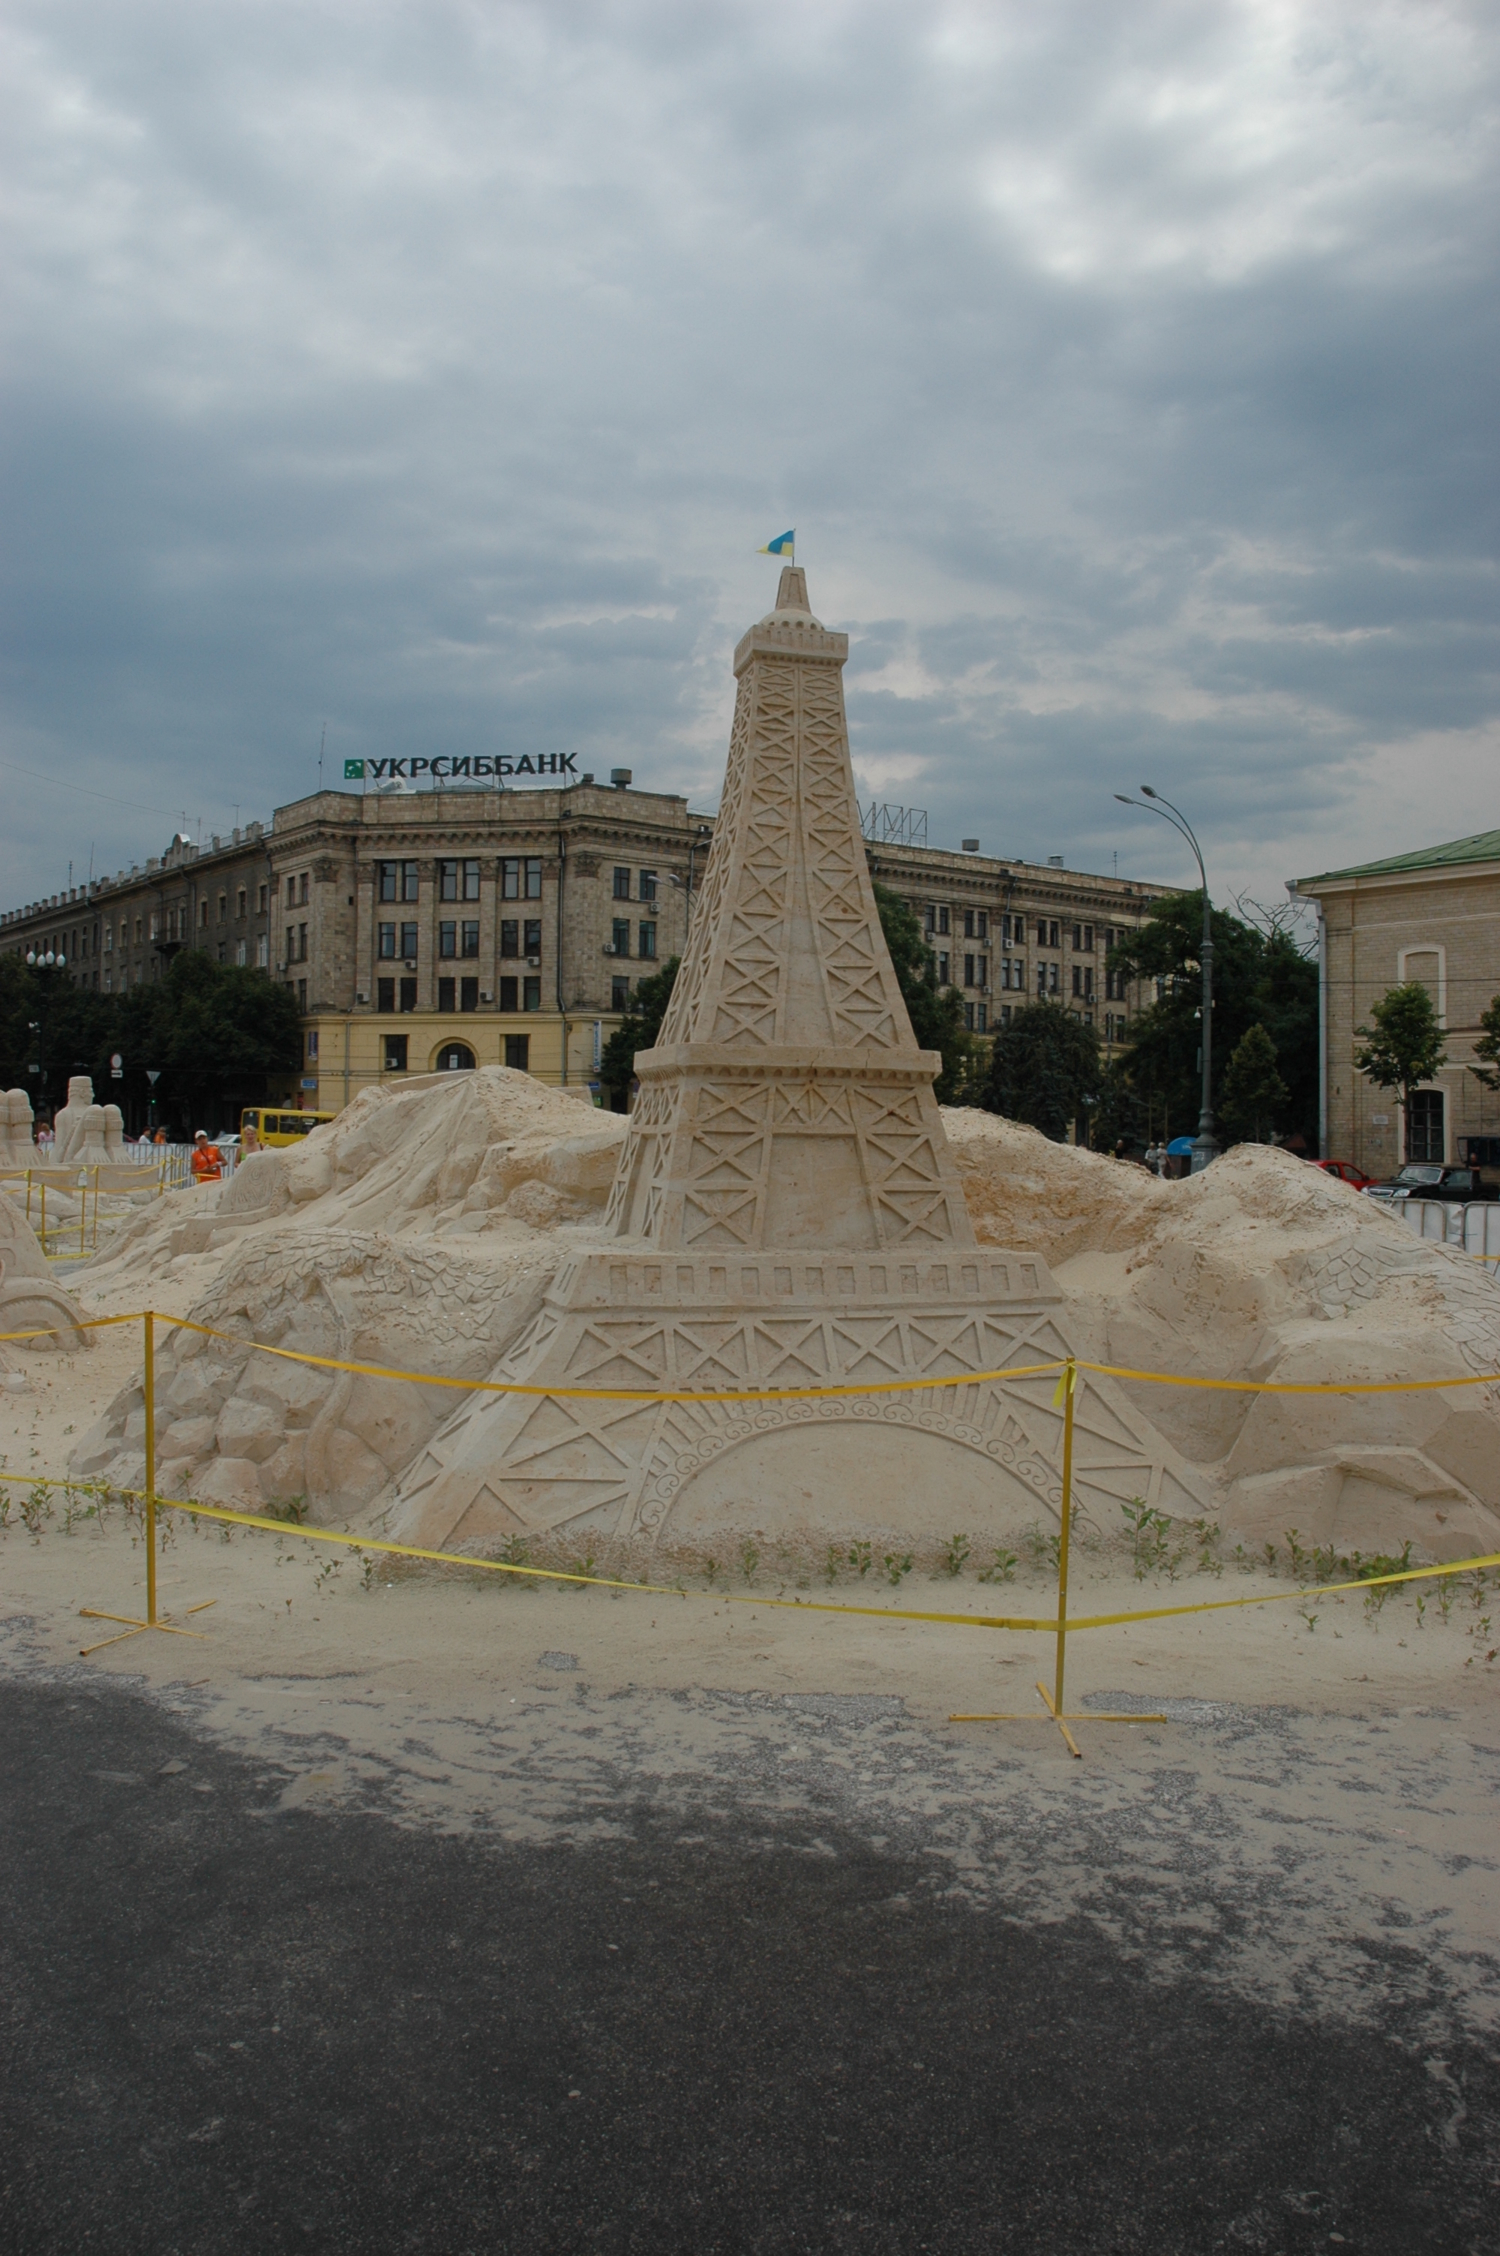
788, 1102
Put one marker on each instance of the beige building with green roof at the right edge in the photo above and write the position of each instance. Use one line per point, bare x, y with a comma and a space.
1433, 917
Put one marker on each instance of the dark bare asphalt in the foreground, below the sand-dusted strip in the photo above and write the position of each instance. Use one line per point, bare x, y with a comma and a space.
240, 2029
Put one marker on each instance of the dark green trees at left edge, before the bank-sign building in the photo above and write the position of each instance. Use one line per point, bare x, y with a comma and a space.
218, 1034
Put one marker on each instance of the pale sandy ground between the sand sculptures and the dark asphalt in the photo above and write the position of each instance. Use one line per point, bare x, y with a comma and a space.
1314, 1824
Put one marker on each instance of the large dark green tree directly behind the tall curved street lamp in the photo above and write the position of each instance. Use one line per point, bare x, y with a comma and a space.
1260, 980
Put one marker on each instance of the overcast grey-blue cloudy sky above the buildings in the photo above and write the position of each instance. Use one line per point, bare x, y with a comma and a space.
434, 373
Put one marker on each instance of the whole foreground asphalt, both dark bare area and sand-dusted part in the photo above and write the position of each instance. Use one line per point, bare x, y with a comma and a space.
252, 2002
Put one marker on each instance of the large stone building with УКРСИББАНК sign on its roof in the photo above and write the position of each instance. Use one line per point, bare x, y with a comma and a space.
430, 931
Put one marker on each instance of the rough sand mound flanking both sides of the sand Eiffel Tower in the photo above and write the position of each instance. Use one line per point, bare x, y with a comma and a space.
423, 1228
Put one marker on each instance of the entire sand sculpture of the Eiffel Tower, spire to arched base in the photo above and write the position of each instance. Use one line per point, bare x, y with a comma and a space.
786, 1215
